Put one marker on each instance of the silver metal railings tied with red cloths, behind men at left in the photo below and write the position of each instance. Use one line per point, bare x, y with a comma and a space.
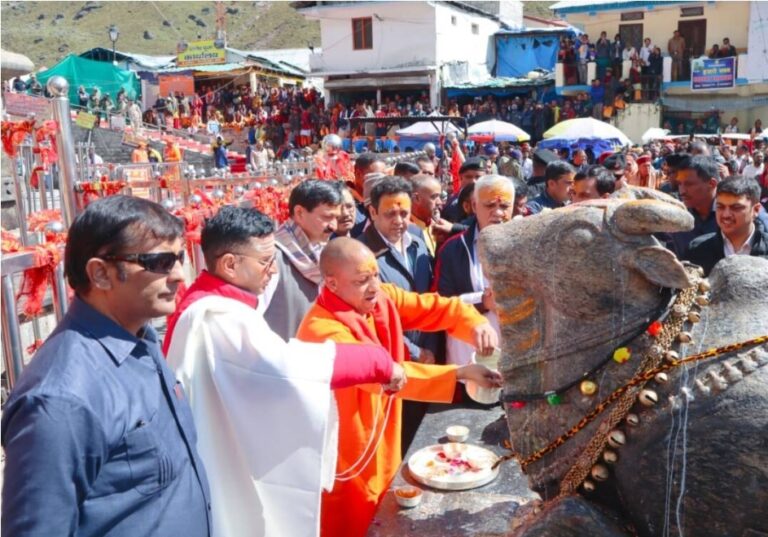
63, 186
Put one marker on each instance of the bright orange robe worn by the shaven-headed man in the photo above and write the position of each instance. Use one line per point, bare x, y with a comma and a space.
349, 508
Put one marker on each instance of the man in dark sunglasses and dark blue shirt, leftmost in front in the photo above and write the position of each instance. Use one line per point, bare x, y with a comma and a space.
98, 435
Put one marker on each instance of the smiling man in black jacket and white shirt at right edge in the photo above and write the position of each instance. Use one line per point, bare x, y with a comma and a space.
741, 232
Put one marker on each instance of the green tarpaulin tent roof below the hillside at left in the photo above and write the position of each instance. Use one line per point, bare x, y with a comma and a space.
92, 74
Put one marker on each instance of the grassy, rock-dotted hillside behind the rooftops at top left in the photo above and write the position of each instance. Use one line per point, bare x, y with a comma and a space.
48, 31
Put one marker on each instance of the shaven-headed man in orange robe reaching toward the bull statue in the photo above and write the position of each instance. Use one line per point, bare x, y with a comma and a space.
354, 306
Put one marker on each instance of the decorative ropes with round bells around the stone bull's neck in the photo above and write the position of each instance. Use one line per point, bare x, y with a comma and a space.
658, 359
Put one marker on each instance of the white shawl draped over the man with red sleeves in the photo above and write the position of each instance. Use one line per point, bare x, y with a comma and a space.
264, 412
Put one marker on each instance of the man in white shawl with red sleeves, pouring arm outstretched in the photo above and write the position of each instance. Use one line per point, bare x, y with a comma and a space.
263, 405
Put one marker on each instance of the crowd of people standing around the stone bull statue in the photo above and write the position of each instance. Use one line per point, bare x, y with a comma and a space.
369, 297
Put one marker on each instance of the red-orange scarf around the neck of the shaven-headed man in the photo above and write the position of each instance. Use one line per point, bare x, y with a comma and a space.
386, 321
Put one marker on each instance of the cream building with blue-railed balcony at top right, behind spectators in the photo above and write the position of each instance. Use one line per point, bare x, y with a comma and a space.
674, 101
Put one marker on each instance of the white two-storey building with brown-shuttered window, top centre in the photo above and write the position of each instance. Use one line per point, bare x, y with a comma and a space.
374, 50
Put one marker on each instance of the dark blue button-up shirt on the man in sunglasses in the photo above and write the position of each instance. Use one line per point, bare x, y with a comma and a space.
99, 439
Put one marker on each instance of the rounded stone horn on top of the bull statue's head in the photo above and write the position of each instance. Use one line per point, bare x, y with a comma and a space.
642, 217
